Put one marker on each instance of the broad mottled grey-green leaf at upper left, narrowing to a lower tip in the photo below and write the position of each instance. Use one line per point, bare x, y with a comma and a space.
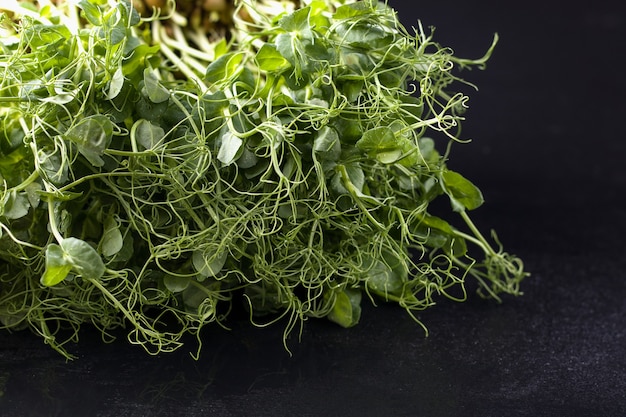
92, 135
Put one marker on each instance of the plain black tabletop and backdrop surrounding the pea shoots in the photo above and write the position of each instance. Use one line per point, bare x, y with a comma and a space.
548, 152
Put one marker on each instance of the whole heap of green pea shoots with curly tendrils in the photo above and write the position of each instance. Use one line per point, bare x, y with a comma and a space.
157, 177
